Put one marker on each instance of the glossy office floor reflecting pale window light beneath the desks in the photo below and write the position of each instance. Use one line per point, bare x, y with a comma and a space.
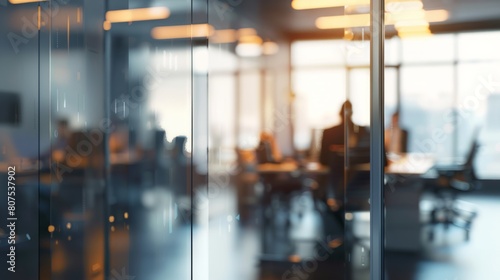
226, 247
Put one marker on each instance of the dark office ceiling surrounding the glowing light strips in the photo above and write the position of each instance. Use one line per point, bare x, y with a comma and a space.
275, 19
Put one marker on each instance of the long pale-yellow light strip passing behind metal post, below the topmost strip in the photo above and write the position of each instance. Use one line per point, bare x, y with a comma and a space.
360, 20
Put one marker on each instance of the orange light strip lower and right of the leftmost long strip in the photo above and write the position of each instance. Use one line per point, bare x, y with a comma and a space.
182, 31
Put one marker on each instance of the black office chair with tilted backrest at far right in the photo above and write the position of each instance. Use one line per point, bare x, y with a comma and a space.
451, 182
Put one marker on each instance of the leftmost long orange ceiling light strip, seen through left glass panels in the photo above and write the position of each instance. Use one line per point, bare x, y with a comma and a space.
141, 14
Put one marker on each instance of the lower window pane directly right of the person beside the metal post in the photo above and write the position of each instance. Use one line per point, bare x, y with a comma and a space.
424, 103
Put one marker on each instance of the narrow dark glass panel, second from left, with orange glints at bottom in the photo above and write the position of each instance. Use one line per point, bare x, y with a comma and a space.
77, 126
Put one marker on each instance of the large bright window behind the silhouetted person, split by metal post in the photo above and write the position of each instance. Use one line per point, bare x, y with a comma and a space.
441, 84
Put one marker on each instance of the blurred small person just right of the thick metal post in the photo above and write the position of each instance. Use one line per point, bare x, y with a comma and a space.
396, 138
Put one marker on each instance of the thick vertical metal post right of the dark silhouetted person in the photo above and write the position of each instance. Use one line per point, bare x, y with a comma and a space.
377, 223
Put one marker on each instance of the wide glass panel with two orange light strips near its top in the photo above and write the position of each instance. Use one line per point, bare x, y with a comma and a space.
157, 106
